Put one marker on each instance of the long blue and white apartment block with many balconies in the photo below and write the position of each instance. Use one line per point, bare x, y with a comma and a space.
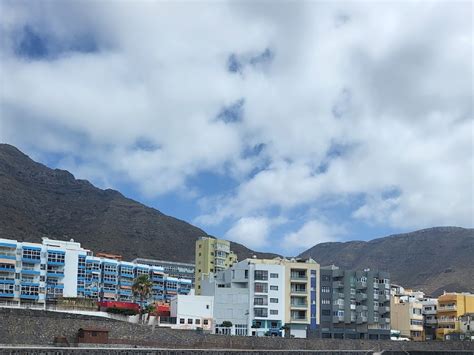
34, 273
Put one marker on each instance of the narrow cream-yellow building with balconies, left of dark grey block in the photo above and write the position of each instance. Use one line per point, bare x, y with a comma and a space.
302, 296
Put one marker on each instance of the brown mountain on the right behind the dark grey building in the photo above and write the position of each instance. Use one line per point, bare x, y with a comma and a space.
431, 260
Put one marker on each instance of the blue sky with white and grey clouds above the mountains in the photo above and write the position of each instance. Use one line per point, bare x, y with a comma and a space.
276, 124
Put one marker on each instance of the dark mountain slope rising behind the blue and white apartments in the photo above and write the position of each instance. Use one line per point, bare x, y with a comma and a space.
36, 201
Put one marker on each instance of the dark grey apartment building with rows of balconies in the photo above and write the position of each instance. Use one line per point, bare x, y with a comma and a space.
354, 304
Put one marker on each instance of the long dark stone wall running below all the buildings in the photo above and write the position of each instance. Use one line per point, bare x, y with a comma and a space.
37, 327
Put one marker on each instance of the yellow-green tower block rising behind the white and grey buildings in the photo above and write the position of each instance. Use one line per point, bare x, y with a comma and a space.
212, 255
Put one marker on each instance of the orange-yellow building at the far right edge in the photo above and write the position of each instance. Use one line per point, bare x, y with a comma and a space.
451, 306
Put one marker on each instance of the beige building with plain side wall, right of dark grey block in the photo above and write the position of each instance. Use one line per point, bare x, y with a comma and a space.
406, 314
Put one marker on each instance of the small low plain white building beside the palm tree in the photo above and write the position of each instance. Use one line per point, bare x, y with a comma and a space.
192, 312
